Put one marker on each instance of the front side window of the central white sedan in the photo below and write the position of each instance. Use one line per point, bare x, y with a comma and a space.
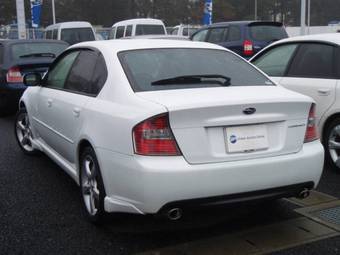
57, 76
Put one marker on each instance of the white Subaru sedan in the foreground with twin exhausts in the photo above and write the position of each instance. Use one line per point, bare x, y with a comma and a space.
158, 126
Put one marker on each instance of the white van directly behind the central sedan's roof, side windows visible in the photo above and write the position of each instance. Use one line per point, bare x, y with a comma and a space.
135, 27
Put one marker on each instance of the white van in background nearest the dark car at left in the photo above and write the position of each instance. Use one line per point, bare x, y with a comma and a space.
71, 32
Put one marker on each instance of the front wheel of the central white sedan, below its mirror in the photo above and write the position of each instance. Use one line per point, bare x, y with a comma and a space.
23, 133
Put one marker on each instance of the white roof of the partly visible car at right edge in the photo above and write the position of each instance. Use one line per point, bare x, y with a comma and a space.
327, 38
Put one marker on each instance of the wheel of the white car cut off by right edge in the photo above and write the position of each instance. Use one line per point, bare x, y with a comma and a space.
331, 142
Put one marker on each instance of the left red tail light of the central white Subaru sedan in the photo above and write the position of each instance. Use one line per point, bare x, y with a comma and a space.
153, 137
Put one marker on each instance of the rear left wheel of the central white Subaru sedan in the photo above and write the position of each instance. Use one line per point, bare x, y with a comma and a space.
91, 186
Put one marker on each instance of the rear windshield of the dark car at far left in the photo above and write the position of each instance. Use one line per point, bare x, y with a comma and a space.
33, 49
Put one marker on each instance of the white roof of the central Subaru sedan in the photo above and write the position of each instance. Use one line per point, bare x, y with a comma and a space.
119, 45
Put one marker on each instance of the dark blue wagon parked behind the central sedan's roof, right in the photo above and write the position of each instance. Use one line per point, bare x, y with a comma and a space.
246, 38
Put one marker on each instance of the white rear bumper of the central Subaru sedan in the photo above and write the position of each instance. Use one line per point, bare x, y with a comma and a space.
137, 184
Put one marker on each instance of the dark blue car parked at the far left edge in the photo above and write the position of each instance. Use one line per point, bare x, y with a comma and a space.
18, 57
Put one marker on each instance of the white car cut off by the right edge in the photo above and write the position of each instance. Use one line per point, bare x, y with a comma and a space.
310, 65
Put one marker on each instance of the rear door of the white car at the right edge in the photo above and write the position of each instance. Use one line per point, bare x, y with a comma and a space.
312, 72
